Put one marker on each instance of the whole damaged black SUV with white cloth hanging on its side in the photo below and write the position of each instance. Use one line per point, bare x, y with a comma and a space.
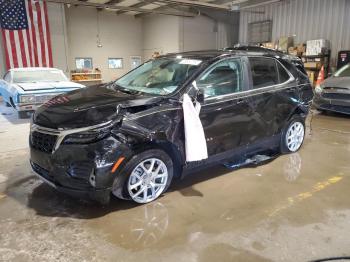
127, 137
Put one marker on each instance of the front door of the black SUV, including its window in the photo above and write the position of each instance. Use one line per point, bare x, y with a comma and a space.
224, 112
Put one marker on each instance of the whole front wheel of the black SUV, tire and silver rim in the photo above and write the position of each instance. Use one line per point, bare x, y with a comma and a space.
145, 177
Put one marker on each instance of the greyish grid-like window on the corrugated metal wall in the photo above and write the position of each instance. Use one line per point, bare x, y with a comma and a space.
260, 32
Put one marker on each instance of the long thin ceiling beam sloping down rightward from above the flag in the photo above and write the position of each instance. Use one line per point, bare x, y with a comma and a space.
124, 8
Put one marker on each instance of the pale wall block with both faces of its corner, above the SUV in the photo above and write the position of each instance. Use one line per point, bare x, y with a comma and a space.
167, 34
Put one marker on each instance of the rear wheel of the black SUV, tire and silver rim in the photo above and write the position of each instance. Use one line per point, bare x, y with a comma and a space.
293, 135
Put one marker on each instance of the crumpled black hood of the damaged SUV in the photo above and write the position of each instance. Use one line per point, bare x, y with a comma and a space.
86, 107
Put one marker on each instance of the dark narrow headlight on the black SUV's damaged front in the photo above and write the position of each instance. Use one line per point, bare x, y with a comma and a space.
89, 136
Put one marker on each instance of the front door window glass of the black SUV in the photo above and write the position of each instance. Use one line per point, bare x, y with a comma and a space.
223, 78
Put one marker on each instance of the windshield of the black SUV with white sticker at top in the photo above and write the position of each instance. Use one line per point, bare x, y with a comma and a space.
159, 77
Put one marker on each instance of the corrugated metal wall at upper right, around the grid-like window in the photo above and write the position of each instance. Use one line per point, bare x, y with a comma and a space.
306, 19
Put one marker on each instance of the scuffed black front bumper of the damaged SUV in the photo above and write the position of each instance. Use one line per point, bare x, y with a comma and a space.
71, 167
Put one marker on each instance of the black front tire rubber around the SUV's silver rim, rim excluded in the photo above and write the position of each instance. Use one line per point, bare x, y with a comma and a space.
120, 184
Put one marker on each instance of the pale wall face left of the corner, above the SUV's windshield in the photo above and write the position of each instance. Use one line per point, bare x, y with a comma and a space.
160, 34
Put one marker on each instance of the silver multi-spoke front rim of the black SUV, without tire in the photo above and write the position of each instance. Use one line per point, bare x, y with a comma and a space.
148, 180
